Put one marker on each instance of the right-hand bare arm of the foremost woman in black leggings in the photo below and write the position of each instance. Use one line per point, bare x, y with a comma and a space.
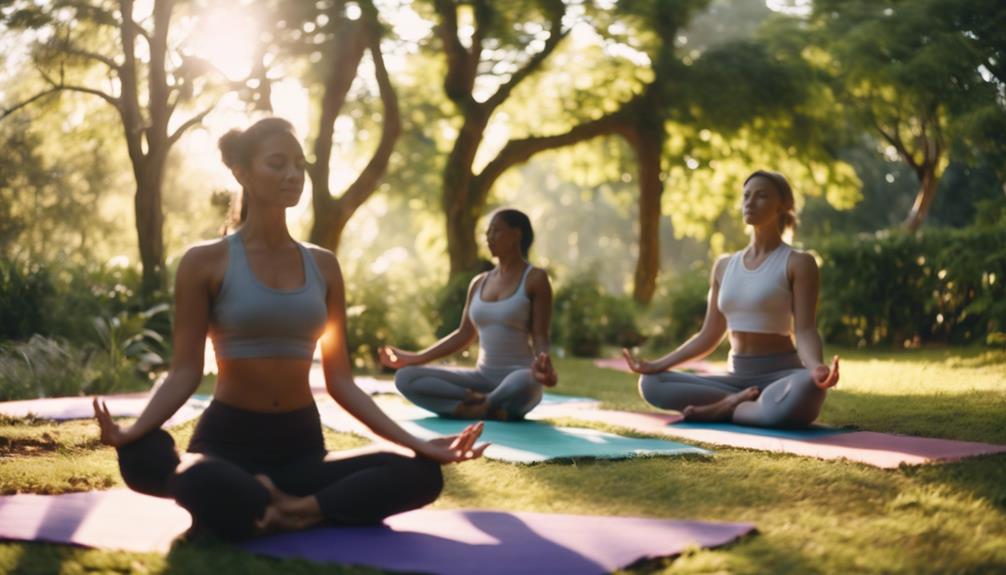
340, 380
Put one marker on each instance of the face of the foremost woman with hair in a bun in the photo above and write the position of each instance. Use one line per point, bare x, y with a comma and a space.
276, 176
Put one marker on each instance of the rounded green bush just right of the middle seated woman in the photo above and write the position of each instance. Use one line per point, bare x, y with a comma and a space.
586, 318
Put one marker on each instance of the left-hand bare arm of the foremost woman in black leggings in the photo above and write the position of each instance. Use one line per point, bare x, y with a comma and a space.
192, 323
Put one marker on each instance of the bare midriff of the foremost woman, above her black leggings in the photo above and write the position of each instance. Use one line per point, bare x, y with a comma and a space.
272, 386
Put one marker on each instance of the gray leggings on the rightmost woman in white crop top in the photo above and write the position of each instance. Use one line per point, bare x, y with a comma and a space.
788, 397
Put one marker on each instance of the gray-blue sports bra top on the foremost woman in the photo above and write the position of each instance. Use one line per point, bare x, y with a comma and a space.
250, 320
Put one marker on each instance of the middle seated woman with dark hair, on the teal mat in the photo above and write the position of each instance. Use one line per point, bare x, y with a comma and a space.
507, 307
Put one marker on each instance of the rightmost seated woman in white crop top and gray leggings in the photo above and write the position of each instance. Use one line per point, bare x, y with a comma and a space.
766, 296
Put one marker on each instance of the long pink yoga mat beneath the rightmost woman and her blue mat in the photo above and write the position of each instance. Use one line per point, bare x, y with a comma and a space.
880, 450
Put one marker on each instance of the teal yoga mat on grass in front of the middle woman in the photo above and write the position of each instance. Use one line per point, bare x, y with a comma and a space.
532, 442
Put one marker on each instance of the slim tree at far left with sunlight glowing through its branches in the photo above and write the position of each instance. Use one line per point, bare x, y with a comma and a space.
143, 78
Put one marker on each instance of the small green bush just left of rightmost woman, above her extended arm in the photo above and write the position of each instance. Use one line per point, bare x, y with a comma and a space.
679, 312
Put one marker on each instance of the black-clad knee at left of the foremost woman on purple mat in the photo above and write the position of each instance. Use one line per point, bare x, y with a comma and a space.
148, 464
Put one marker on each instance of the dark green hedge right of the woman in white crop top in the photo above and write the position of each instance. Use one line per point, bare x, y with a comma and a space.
943, 286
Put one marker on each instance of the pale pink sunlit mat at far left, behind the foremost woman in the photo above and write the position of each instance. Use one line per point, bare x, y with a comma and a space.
124, 406
